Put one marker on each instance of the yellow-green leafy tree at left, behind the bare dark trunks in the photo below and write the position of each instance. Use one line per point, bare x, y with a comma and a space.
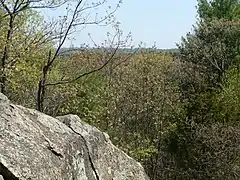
23, 56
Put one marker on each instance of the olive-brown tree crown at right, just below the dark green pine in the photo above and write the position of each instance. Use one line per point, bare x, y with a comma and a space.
211, 50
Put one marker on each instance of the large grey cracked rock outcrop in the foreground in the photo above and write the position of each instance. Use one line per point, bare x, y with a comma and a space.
36, 146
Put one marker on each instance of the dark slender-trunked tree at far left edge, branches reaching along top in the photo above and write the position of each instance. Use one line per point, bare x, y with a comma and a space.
16, 16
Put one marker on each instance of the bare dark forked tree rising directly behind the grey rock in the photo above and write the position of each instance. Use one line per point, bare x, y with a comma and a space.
110, 51
